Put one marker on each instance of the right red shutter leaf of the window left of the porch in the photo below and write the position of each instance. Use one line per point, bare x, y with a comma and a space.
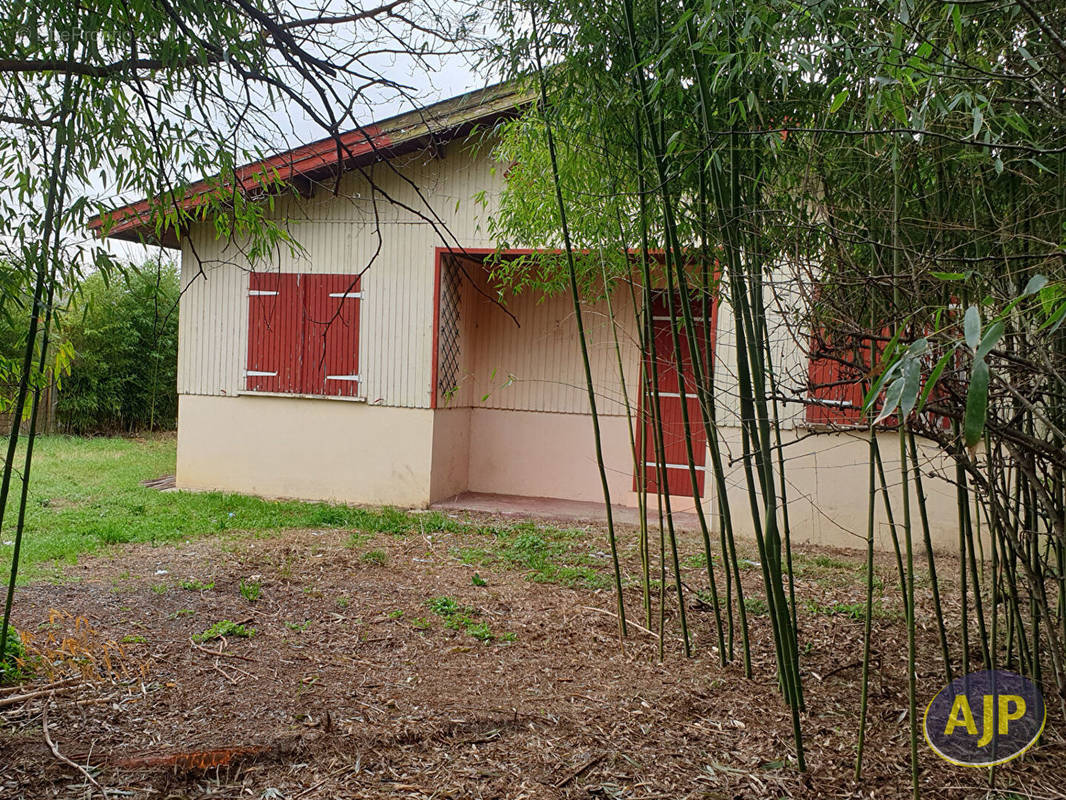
331, 344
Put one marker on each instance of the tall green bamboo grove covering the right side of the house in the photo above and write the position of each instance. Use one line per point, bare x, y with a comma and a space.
882, 187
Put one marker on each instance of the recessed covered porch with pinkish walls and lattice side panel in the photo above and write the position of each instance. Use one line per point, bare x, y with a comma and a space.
512, 425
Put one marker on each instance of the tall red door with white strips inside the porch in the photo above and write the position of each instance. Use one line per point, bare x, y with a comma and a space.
672, 377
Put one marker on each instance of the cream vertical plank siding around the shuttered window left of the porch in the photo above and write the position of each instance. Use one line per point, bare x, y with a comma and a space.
357, 230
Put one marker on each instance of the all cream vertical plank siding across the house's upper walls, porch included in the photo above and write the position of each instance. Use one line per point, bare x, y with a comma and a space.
532, 367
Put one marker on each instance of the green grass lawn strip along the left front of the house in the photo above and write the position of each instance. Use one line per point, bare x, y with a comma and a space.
86, 494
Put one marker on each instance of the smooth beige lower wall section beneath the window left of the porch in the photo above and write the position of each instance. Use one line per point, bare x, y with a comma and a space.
314, 450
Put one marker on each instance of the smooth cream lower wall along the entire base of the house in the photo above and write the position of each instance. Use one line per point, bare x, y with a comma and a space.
353, 453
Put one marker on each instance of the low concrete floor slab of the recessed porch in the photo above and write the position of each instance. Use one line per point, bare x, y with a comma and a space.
554, 509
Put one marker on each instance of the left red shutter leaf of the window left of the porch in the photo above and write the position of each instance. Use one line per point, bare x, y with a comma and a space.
273, 327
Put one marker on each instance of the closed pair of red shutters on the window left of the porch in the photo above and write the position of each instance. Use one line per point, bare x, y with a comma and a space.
304, 334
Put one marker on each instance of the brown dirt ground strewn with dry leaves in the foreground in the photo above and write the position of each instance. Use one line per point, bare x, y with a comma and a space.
354, 687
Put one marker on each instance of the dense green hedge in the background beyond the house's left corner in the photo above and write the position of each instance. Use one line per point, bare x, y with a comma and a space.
125, 341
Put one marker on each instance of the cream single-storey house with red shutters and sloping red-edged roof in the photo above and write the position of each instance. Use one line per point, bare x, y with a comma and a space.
380, 366
